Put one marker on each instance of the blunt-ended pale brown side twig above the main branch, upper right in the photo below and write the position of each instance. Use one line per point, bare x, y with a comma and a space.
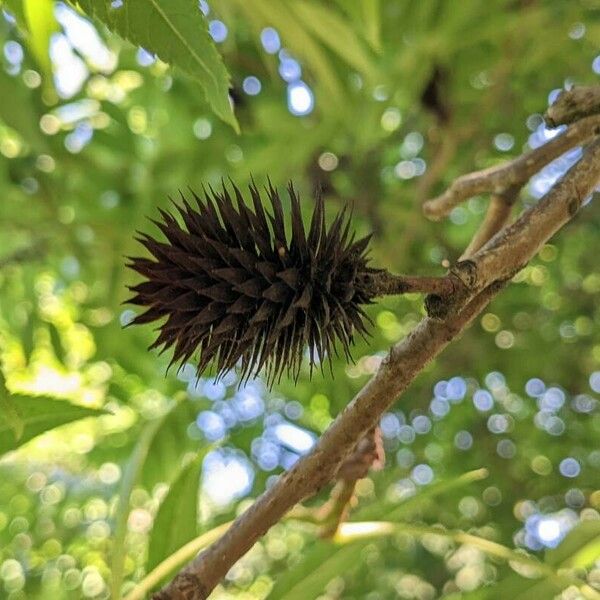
500, 178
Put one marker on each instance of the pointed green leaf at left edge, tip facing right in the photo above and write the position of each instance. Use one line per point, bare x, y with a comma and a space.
38, 415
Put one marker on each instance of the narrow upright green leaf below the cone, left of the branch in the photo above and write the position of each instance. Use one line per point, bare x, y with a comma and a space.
176, 521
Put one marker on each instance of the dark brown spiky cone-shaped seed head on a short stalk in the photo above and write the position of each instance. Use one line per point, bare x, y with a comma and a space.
232, 287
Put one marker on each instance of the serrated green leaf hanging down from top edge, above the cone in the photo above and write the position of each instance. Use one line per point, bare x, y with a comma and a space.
177, 32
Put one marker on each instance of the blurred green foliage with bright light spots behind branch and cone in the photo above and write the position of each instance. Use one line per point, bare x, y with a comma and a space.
492, 455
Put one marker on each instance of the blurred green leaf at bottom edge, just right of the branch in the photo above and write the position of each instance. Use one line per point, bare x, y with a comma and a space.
319, 565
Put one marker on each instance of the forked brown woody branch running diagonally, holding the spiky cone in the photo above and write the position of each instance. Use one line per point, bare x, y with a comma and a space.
495, 254
